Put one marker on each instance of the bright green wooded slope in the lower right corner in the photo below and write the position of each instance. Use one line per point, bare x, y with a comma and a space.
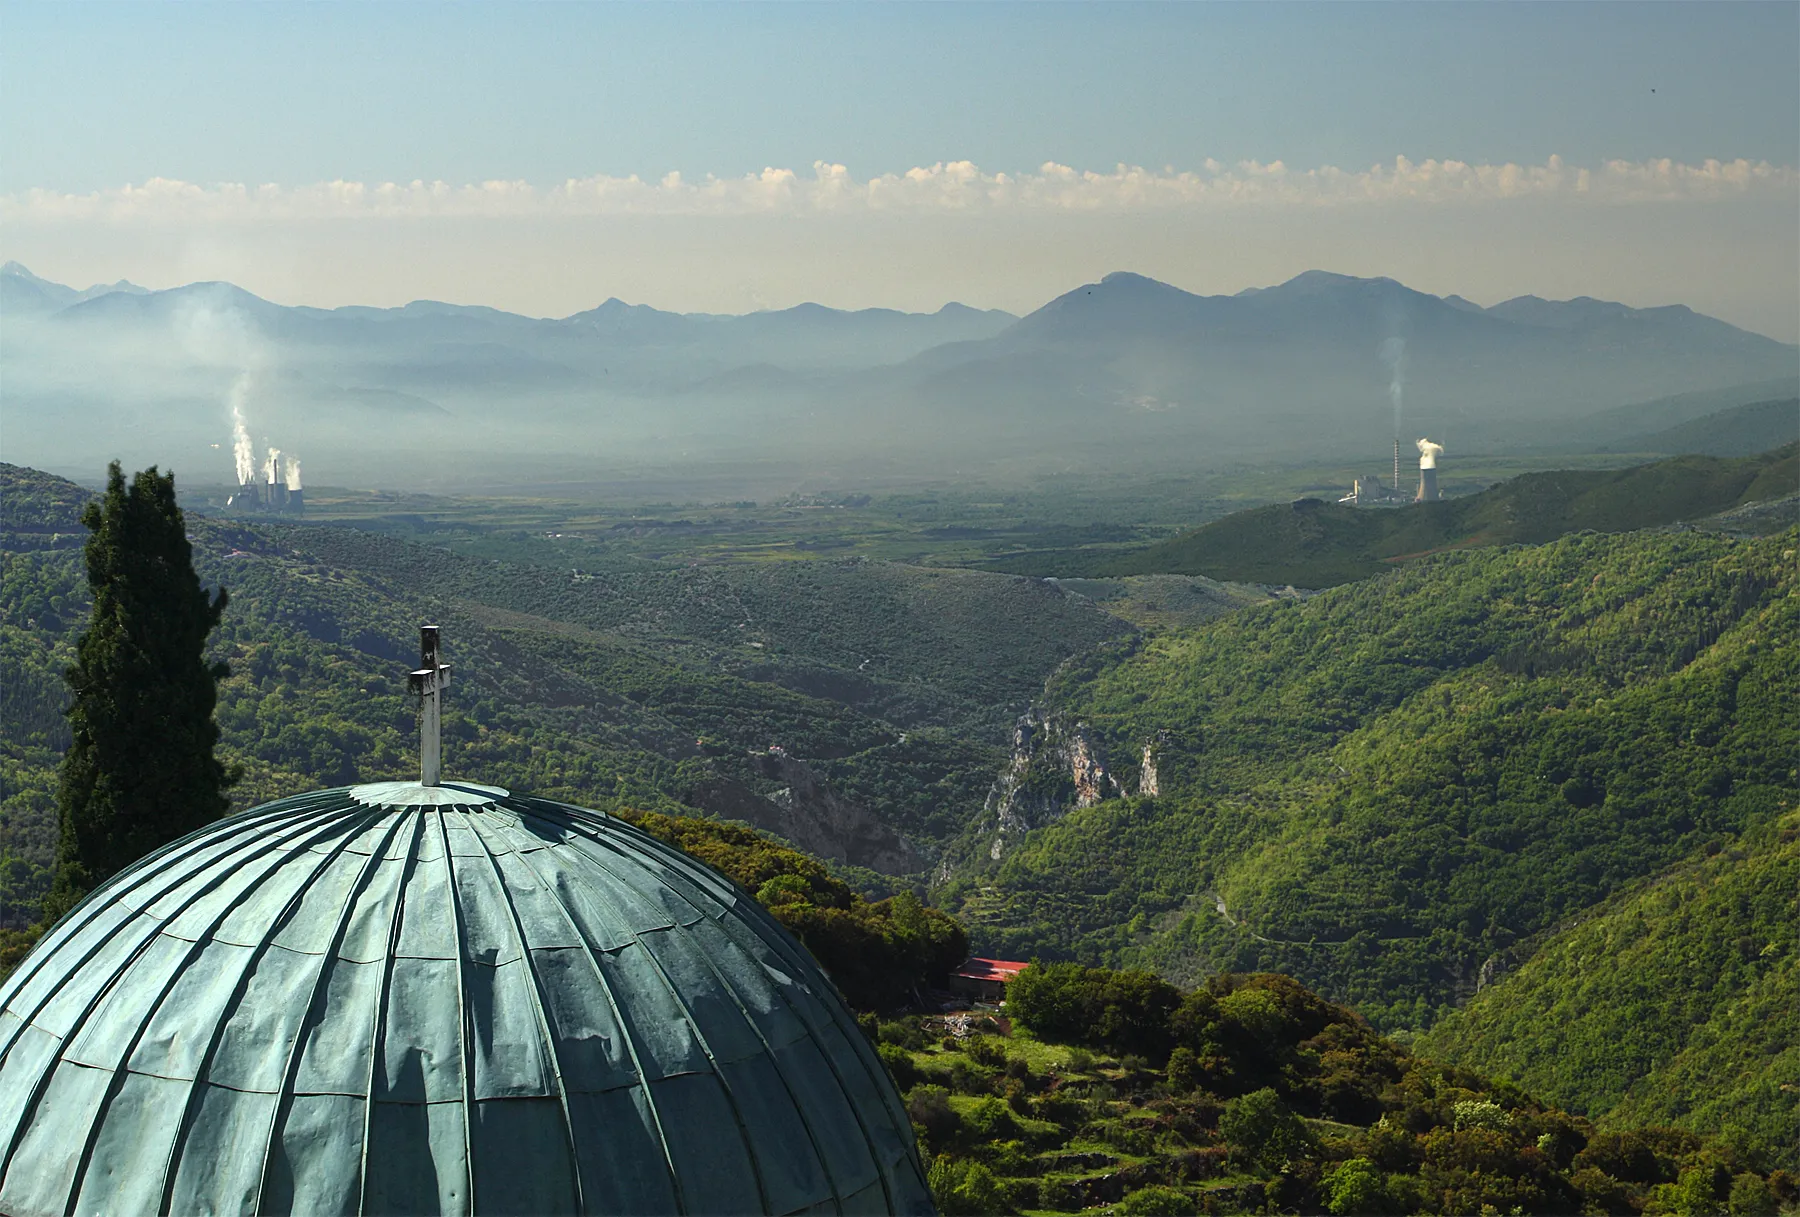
1675, 1002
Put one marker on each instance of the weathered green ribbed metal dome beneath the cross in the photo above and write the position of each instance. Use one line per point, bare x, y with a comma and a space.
510, 1005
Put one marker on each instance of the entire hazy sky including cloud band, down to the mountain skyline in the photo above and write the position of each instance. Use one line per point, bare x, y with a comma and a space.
1637, 152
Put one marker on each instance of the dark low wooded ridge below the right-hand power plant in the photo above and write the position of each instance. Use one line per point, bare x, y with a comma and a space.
1311, 543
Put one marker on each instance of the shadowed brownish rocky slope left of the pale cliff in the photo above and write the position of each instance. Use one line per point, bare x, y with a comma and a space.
811, 815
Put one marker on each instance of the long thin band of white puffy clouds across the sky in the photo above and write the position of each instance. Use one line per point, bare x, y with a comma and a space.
946, 188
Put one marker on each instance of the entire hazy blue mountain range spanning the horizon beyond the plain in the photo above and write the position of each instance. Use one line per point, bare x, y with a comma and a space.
1117, 375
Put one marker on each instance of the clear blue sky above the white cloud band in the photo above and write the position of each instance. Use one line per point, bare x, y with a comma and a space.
100, 95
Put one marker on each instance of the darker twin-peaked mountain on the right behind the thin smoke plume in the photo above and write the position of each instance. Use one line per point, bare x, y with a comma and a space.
1309, 354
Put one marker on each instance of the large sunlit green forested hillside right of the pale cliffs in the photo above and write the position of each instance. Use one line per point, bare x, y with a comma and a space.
1389, 788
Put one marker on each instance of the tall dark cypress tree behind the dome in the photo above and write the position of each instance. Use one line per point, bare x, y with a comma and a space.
141, 768
